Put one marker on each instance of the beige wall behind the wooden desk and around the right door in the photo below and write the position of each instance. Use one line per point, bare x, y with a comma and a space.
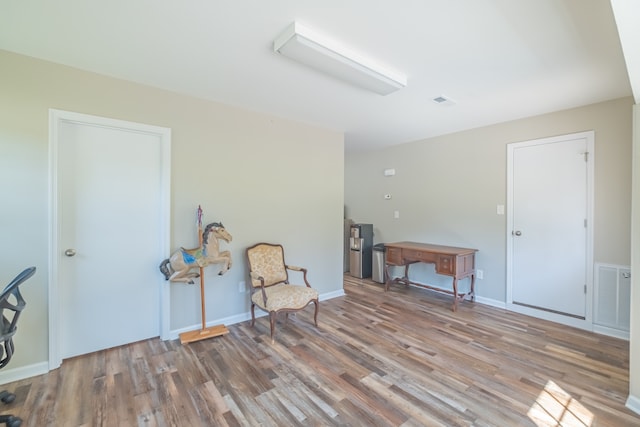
447, 188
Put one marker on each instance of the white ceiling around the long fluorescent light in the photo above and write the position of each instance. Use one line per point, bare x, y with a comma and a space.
498, 59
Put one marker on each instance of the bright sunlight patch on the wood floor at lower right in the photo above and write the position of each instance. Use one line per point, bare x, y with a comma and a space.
556, 407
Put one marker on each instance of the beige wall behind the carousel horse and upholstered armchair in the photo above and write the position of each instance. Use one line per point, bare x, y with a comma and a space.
265, 178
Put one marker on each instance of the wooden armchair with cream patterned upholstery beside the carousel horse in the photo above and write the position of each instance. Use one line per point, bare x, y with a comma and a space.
271, 290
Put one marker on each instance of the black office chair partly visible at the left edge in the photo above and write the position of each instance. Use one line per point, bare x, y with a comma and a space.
10, 312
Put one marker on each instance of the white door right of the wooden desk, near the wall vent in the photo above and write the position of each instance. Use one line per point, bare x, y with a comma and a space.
549, 224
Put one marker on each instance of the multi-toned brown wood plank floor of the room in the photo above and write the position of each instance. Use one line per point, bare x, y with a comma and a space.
397, 358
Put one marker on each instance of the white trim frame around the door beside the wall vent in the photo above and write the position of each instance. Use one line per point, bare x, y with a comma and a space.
587, 323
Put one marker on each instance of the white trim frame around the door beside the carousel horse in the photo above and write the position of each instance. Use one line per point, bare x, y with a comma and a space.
56, 117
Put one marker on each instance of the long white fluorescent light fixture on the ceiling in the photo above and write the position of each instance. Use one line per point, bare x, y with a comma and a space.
304, 45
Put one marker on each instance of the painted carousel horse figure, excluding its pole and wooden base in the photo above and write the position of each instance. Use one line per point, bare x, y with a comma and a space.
184, 264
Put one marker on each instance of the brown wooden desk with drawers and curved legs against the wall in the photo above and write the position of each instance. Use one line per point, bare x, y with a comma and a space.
458, 263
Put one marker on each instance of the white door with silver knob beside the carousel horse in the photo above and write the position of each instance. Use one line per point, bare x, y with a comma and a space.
111, 224
